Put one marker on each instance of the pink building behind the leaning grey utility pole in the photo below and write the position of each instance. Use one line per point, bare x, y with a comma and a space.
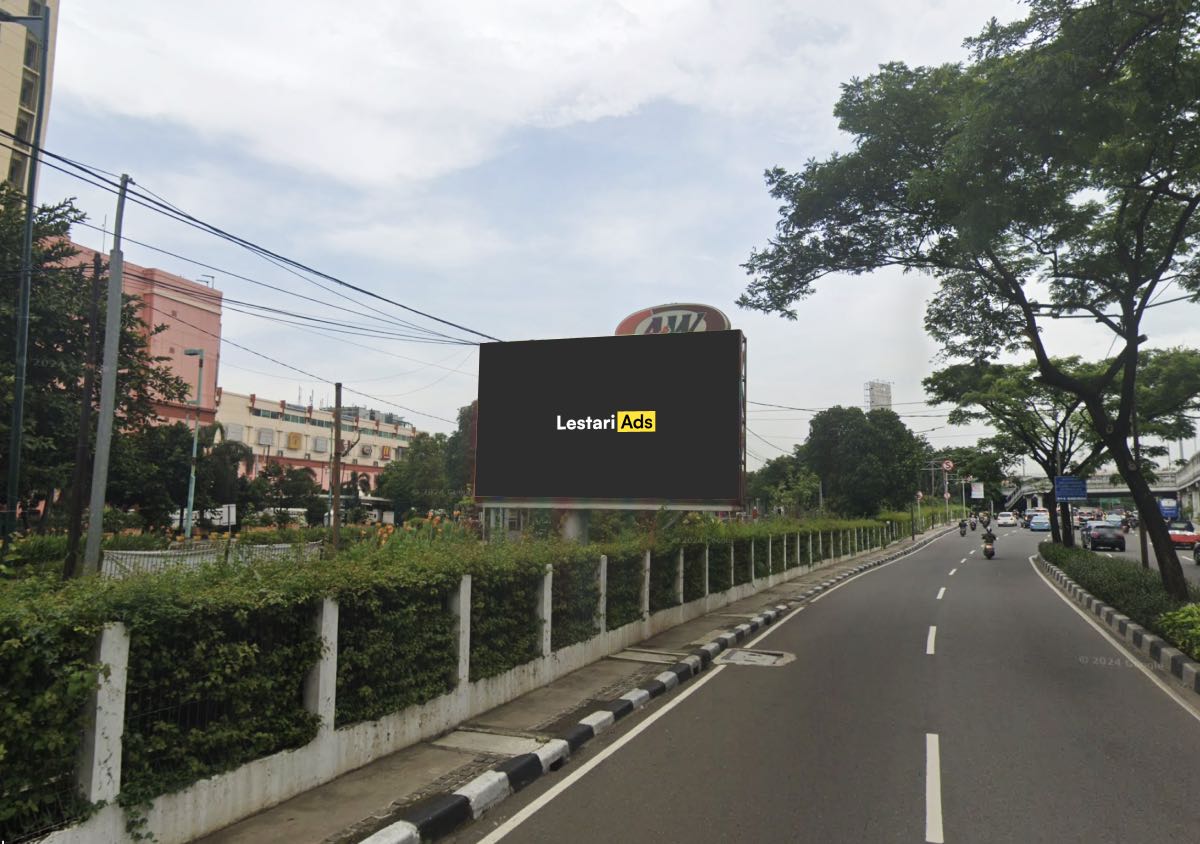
191, 312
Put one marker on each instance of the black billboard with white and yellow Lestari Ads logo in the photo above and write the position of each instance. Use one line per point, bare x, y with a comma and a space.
554, 418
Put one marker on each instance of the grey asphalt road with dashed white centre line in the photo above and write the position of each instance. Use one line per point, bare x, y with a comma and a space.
1016, 722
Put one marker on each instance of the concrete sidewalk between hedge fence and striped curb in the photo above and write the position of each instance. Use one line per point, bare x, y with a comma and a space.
358, 804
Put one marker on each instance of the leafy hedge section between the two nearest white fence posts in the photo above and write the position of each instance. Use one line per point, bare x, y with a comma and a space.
215, 675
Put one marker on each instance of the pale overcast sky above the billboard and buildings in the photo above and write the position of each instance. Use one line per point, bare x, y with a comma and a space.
527, 169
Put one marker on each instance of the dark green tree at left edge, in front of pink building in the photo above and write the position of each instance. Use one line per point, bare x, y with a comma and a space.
58, 332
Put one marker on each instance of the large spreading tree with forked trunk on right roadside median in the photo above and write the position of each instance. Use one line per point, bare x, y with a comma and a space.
1055, 175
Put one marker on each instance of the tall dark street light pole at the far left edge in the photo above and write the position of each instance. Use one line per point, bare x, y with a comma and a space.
41, 28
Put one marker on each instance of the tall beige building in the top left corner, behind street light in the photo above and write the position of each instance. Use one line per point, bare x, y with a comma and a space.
21, 61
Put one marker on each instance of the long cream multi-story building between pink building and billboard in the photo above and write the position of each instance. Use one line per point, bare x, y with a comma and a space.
299, 436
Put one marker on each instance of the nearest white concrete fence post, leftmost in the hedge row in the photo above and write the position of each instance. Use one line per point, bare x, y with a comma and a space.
100, 753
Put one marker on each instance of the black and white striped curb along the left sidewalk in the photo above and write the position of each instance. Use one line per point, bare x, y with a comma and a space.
440, 816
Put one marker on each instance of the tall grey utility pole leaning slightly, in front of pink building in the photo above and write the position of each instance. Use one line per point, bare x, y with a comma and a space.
107, 391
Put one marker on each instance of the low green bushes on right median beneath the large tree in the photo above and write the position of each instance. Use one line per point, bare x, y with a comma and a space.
1135, 591
